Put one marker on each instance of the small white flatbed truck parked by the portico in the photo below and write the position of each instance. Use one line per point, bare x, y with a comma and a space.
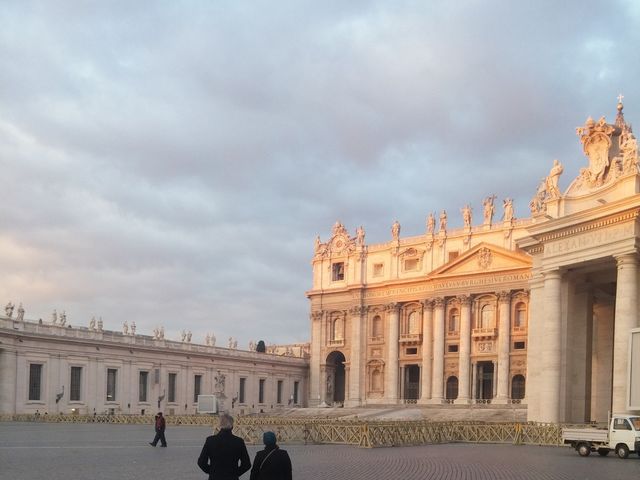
623, 437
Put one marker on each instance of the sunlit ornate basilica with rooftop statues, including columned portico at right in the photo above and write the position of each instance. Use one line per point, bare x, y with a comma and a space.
535, 311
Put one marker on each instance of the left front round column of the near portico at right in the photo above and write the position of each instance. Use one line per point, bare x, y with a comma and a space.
551, 360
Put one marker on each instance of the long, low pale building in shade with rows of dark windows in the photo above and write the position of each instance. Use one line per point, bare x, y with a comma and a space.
55, 368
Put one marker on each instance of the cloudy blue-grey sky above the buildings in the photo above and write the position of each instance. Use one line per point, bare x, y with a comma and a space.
171, 162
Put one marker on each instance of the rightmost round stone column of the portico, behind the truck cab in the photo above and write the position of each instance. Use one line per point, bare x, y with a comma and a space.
625, 319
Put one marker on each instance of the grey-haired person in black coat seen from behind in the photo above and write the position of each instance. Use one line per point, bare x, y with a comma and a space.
224, 456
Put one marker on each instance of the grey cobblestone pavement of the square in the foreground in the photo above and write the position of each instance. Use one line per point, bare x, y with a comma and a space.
31, 451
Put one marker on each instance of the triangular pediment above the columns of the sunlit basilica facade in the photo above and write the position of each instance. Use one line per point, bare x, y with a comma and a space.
484, 258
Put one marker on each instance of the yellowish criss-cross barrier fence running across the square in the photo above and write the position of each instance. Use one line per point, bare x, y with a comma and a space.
359, 432
